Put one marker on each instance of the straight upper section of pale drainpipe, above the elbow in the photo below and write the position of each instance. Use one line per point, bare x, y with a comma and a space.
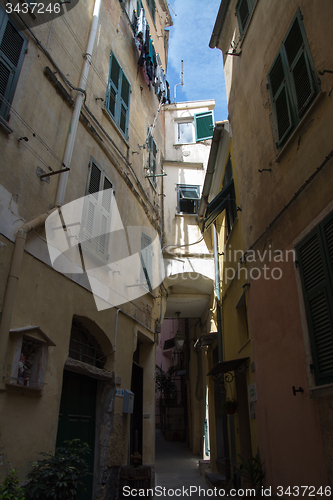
78, 105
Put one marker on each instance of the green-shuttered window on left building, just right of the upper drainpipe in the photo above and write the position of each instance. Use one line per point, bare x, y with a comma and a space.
118, 96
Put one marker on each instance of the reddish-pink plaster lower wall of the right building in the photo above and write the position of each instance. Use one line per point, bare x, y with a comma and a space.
290, 439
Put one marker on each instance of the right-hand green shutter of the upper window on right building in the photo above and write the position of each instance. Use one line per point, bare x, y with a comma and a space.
303, 84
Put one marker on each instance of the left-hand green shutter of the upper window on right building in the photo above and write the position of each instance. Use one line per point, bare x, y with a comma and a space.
280, 99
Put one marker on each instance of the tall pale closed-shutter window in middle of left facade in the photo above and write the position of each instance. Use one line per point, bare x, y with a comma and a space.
96, 220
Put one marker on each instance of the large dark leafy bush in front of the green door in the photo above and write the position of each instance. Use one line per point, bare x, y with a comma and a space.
57, 476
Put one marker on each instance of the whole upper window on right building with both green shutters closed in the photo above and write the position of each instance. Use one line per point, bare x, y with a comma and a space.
292, 81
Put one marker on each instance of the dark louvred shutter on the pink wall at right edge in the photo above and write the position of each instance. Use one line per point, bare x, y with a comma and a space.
315, 256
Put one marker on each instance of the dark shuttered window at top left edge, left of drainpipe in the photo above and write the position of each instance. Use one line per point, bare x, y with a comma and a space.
12, 50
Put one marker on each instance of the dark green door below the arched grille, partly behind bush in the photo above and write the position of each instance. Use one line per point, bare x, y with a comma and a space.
77, 419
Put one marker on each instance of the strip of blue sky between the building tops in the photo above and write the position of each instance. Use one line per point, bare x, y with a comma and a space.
203, 67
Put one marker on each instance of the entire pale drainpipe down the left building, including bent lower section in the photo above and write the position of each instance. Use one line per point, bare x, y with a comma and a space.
21, 236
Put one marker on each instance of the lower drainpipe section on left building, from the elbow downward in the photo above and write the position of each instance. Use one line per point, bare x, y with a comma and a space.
12, 281
